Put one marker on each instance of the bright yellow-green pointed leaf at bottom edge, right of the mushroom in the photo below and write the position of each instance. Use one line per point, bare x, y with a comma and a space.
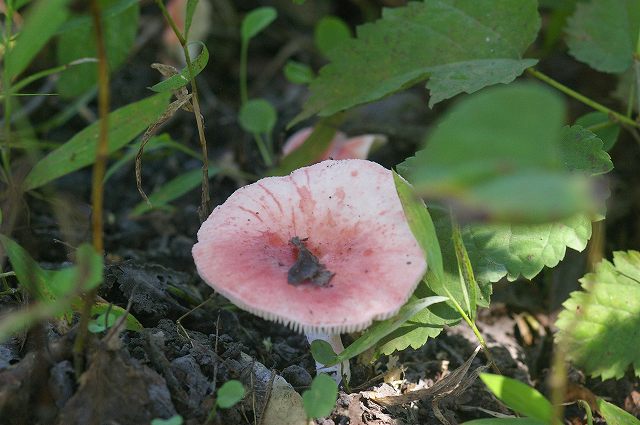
520, 397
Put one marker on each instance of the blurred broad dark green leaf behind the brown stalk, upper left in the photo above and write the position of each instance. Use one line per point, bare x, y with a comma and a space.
77, 40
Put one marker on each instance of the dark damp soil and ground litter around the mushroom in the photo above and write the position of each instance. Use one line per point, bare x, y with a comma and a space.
185, 353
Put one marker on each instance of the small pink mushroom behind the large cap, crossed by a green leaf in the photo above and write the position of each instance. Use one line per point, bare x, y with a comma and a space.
341, 147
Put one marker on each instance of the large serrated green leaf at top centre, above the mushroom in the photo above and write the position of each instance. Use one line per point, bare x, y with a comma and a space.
461, 45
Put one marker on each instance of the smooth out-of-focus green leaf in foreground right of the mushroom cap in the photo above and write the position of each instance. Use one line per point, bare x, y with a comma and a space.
497, 155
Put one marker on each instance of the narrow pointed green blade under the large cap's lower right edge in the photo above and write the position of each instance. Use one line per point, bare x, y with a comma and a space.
381, 329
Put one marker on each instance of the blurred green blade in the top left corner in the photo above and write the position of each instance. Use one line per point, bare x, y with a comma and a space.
42, 21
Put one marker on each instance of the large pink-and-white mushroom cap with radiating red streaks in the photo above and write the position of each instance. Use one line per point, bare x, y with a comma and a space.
351, 214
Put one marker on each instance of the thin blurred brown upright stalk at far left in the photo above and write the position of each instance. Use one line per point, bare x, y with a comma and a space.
97, 186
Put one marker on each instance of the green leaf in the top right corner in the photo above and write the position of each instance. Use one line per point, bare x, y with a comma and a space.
604, 33
